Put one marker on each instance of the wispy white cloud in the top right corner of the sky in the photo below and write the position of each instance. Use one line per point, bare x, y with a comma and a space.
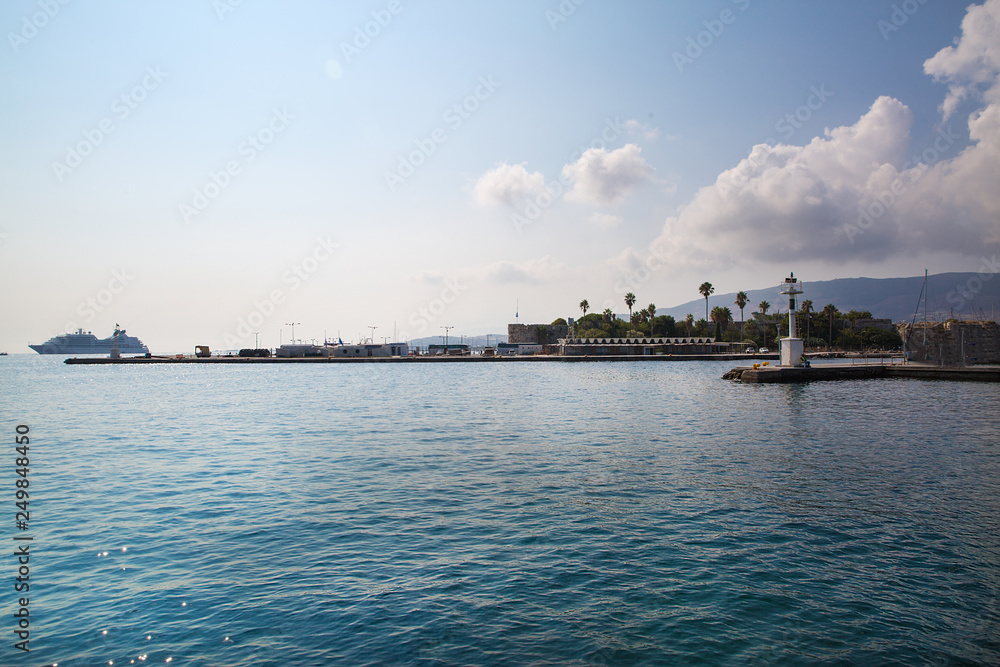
973, 63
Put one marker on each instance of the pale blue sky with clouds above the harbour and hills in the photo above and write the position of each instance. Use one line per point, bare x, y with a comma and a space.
200, 170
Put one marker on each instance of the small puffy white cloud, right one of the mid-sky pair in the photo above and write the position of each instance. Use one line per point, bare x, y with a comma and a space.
601, 177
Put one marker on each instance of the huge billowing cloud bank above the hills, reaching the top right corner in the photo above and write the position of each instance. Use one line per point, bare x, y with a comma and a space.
863, 192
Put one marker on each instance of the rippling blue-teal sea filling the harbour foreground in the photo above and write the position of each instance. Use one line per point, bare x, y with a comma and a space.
591, 513
